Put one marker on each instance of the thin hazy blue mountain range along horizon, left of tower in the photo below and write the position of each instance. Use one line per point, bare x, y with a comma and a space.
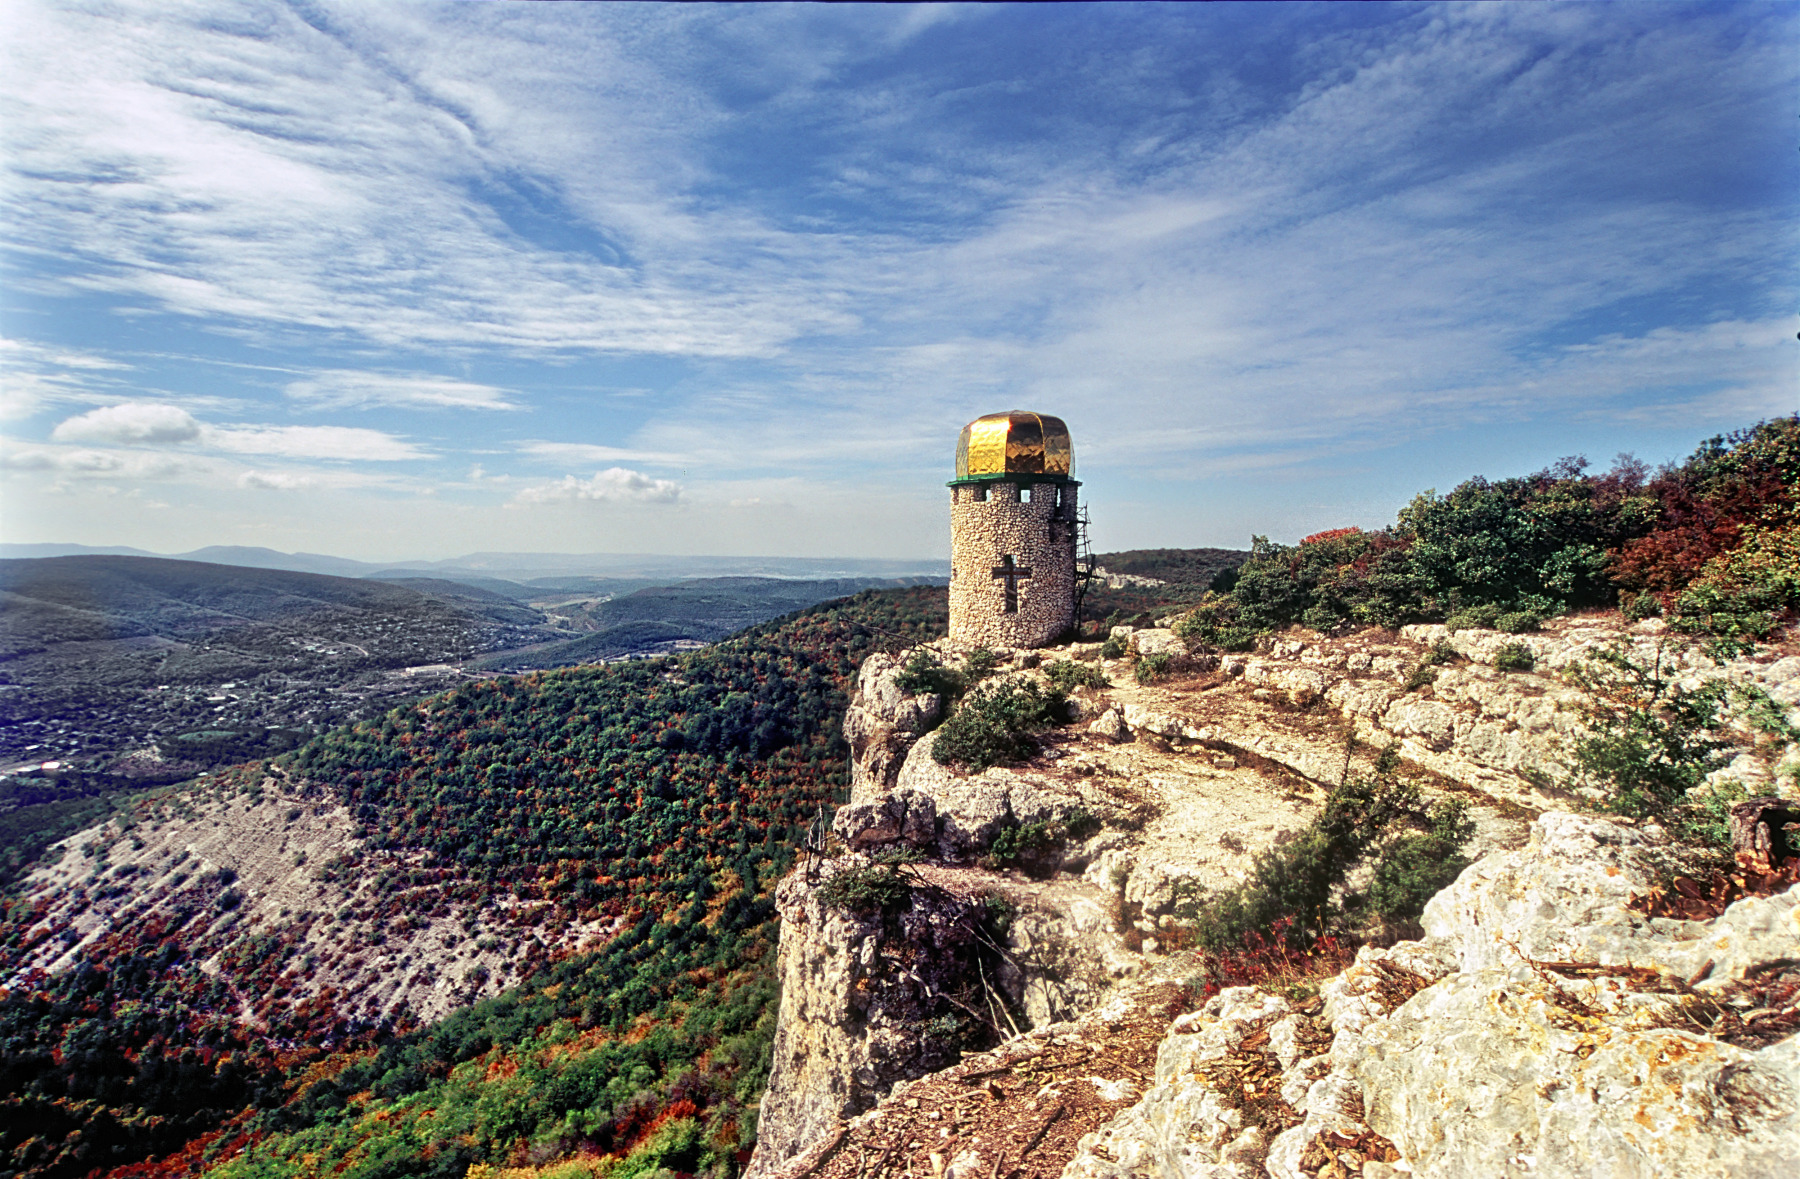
530, 570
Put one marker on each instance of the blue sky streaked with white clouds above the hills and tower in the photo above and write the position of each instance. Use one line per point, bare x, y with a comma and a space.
420, 280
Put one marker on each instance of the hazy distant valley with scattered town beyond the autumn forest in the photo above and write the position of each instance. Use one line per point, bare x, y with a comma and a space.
145, 670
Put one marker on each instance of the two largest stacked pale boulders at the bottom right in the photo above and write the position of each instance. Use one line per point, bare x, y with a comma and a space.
1489, 1074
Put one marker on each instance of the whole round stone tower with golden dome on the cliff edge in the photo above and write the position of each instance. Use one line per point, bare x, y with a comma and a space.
1012, 532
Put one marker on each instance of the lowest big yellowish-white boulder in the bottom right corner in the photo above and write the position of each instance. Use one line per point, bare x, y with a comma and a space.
1484, 1072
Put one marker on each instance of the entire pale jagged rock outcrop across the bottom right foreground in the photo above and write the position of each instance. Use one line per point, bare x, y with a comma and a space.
1497, 1066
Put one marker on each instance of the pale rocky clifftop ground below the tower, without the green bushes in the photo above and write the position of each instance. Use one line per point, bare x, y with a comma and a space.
1542, 1027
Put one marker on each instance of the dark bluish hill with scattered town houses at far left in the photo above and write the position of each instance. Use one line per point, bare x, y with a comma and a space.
215, 663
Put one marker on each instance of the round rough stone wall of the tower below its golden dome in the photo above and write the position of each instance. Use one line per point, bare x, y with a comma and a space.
1038, 537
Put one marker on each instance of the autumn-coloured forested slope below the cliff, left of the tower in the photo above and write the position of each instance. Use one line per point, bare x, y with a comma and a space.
669, 795
